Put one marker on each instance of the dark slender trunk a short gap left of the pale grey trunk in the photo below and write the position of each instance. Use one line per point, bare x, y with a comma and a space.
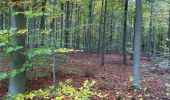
125, 32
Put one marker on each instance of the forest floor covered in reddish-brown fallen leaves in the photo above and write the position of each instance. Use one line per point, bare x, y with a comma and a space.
113, 78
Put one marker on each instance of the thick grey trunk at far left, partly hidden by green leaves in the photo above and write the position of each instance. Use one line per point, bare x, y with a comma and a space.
17, 83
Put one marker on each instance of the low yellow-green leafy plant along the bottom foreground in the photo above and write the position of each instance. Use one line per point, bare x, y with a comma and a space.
64, 92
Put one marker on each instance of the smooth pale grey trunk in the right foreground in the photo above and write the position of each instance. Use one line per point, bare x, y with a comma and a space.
137, 46
